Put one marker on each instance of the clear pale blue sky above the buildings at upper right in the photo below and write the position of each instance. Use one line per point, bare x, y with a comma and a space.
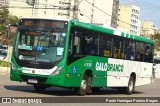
149, 9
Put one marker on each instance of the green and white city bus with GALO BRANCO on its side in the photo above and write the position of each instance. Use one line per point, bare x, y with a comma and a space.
83, 56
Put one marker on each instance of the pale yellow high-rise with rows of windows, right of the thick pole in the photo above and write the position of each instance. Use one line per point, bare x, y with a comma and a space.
129, 18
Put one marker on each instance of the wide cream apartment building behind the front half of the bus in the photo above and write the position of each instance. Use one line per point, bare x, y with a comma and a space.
92, 11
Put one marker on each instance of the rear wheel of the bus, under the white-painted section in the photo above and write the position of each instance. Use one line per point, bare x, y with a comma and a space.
131, 86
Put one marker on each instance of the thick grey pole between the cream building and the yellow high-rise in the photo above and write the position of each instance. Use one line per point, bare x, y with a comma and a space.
115, 13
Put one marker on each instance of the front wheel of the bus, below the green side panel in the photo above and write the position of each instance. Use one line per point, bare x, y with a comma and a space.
82, 90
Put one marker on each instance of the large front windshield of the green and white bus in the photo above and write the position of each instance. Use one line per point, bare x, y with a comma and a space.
40, 44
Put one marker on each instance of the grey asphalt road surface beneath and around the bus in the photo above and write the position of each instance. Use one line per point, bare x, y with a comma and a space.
16, 89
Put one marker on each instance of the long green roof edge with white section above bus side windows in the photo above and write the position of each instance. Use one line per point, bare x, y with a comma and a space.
111, 31
